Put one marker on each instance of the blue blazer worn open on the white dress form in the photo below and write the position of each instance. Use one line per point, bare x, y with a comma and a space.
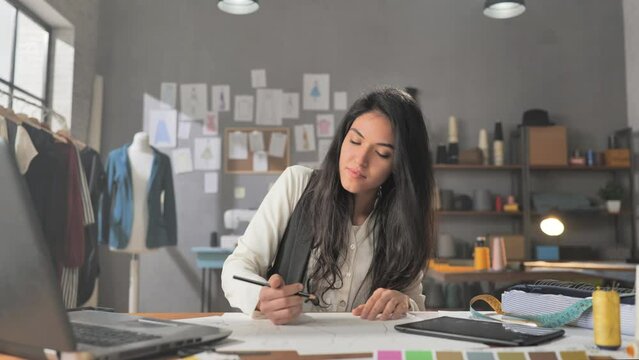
116, 208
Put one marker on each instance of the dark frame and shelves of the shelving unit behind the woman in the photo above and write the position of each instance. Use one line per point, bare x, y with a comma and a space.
521, 185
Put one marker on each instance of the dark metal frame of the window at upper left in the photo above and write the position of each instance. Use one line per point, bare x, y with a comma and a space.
49, 65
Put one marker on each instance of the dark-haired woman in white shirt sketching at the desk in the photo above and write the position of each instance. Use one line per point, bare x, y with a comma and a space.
368, 215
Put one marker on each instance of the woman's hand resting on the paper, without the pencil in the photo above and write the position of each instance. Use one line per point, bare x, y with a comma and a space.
389, 304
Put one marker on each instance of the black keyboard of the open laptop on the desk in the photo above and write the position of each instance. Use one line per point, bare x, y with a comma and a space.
104, 336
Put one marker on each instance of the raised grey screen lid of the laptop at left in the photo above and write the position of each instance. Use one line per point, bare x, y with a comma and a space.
32, 315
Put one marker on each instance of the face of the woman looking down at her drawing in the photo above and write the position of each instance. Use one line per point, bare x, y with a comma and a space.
366, 156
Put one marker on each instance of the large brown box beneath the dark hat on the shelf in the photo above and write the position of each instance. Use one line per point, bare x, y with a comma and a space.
548, 145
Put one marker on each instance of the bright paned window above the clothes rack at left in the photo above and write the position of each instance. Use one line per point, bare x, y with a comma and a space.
24, 59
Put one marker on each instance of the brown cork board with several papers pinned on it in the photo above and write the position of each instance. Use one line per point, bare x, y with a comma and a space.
252, 158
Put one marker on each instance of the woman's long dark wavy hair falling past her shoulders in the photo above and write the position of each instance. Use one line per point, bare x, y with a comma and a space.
403, 215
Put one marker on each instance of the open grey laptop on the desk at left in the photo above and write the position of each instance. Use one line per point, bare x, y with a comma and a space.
33, 321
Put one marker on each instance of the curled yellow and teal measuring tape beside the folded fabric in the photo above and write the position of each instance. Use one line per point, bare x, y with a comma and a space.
551, 320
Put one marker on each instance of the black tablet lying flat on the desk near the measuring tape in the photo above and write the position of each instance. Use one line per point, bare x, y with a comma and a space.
487, 332
